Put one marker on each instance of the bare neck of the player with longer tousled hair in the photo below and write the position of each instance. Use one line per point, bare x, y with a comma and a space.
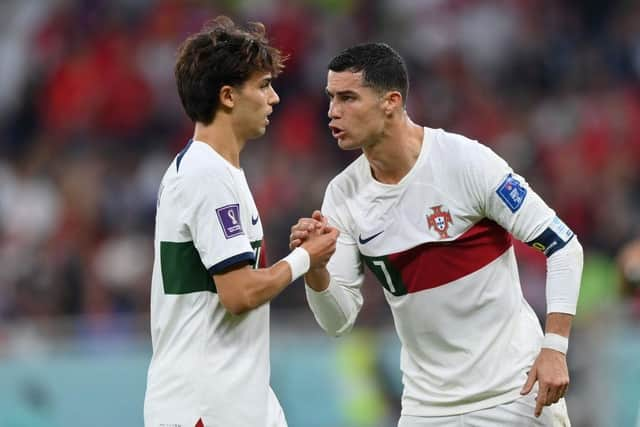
221, 137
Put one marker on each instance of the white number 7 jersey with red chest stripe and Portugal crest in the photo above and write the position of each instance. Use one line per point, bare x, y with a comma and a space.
440, 244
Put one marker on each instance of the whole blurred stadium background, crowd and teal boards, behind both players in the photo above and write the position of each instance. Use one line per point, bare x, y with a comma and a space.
89, 120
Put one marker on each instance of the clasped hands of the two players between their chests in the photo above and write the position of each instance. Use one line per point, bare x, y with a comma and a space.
316, 237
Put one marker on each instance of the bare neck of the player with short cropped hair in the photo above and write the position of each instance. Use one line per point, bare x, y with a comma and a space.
392, 157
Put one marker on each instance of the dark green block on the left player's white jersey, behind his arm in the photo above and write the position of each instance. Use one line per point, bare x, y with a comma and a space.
182, 270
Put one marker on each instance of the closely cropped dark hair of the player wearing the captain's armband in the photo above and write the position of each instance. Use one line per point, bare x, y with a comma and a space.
382, 67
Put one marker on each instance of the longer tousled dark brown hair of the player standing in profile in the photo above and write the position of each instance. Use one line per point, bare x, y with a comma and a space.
221, 54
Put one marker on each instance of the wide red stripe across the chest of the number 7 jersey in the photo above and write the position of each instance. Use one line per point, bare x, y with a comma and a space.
435, 264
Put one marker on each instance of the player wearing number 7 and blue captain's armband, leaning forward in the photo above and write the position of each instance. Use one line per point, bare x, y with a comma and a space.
432, 215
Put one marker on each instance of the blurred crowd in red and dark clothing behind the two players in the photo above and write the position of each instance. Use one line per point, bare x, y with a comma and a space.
90, 119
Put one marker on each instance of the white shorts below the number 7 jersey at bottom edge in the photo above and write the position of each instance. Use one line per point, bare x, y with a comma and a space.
517, 413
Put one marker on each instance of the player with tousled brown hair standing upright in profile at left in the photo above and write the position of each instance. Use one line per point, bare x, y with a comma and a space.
211, 289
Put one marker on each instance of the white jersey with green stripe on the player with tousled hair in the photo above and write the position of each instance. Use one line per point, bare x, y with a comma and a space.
208, 366
